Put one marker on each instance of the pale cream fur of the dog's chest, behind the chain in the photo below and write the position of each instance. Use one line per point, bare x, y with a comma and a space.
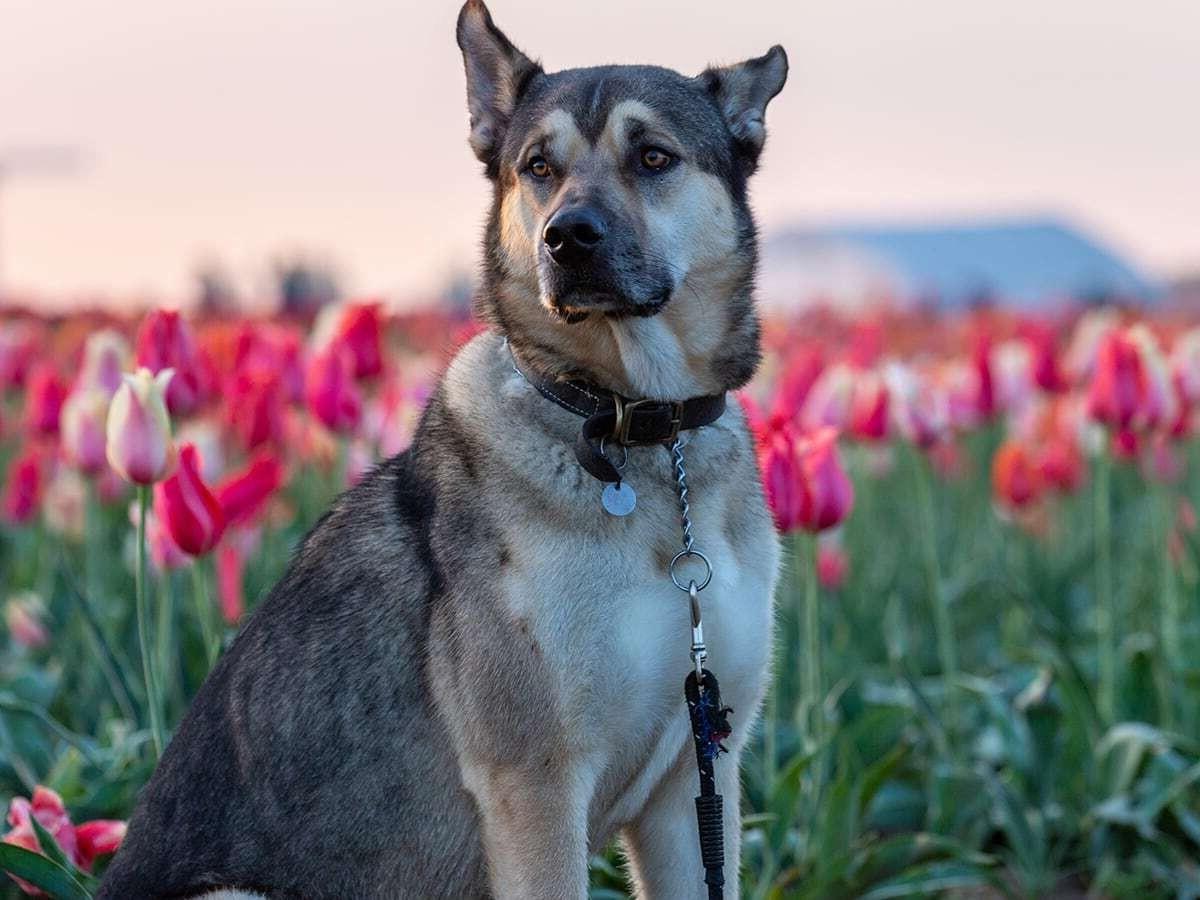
616, 633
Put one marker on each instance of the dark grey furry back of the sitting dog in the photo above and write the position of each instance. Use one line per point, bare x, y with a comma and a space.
296, 757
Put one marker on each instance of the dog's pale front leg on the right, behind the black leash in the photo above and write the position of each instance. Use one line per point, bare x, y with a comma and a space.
663, 843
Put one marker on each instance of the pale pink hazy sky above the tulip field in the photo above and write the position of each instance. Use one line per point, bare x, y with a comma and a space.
238, 129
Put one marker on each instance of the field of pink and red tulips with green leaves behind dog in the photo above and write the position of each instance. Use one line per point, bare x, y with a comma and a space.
987, 675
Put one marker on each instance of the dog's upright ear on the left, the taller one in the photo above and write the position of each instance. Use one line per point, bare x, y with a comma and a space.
497, 73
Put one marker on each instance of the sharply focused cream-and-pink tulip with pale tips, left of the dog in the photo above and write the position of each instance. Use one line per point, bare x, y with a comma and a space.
139, 429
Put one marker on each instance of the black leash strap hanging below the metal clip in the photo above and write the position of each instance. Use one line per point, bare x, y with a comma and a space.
710, 728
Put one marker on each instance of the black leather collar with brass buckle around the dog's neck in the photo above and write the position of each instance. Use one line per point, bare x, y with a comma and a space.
610, 419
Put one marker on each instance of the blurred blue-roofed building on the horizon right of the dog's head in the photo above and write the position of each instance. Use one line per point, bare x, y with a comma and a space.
1023, 262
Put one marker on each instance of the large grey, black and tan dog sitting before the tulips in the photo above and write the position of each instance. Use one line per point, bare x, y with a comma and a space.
471, 676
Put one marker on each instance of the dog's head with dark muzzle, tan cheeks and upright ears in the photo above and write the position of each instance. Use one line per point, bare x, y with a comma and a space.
621, 244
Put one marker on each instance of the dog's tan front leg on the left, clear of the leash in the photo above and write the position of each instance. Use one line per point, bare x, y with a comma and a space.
536, 832
